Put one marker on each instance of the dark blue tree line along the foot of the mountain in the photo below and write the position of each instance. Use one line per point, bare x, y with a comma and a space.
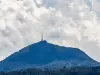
63, 71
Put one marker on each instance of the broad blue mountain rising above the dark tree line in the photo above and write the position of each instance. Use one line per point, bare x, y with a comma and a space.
43, 54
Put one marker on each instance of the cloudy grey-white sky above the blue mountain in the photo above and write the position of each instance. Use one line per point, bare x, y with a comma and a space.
73, 23
